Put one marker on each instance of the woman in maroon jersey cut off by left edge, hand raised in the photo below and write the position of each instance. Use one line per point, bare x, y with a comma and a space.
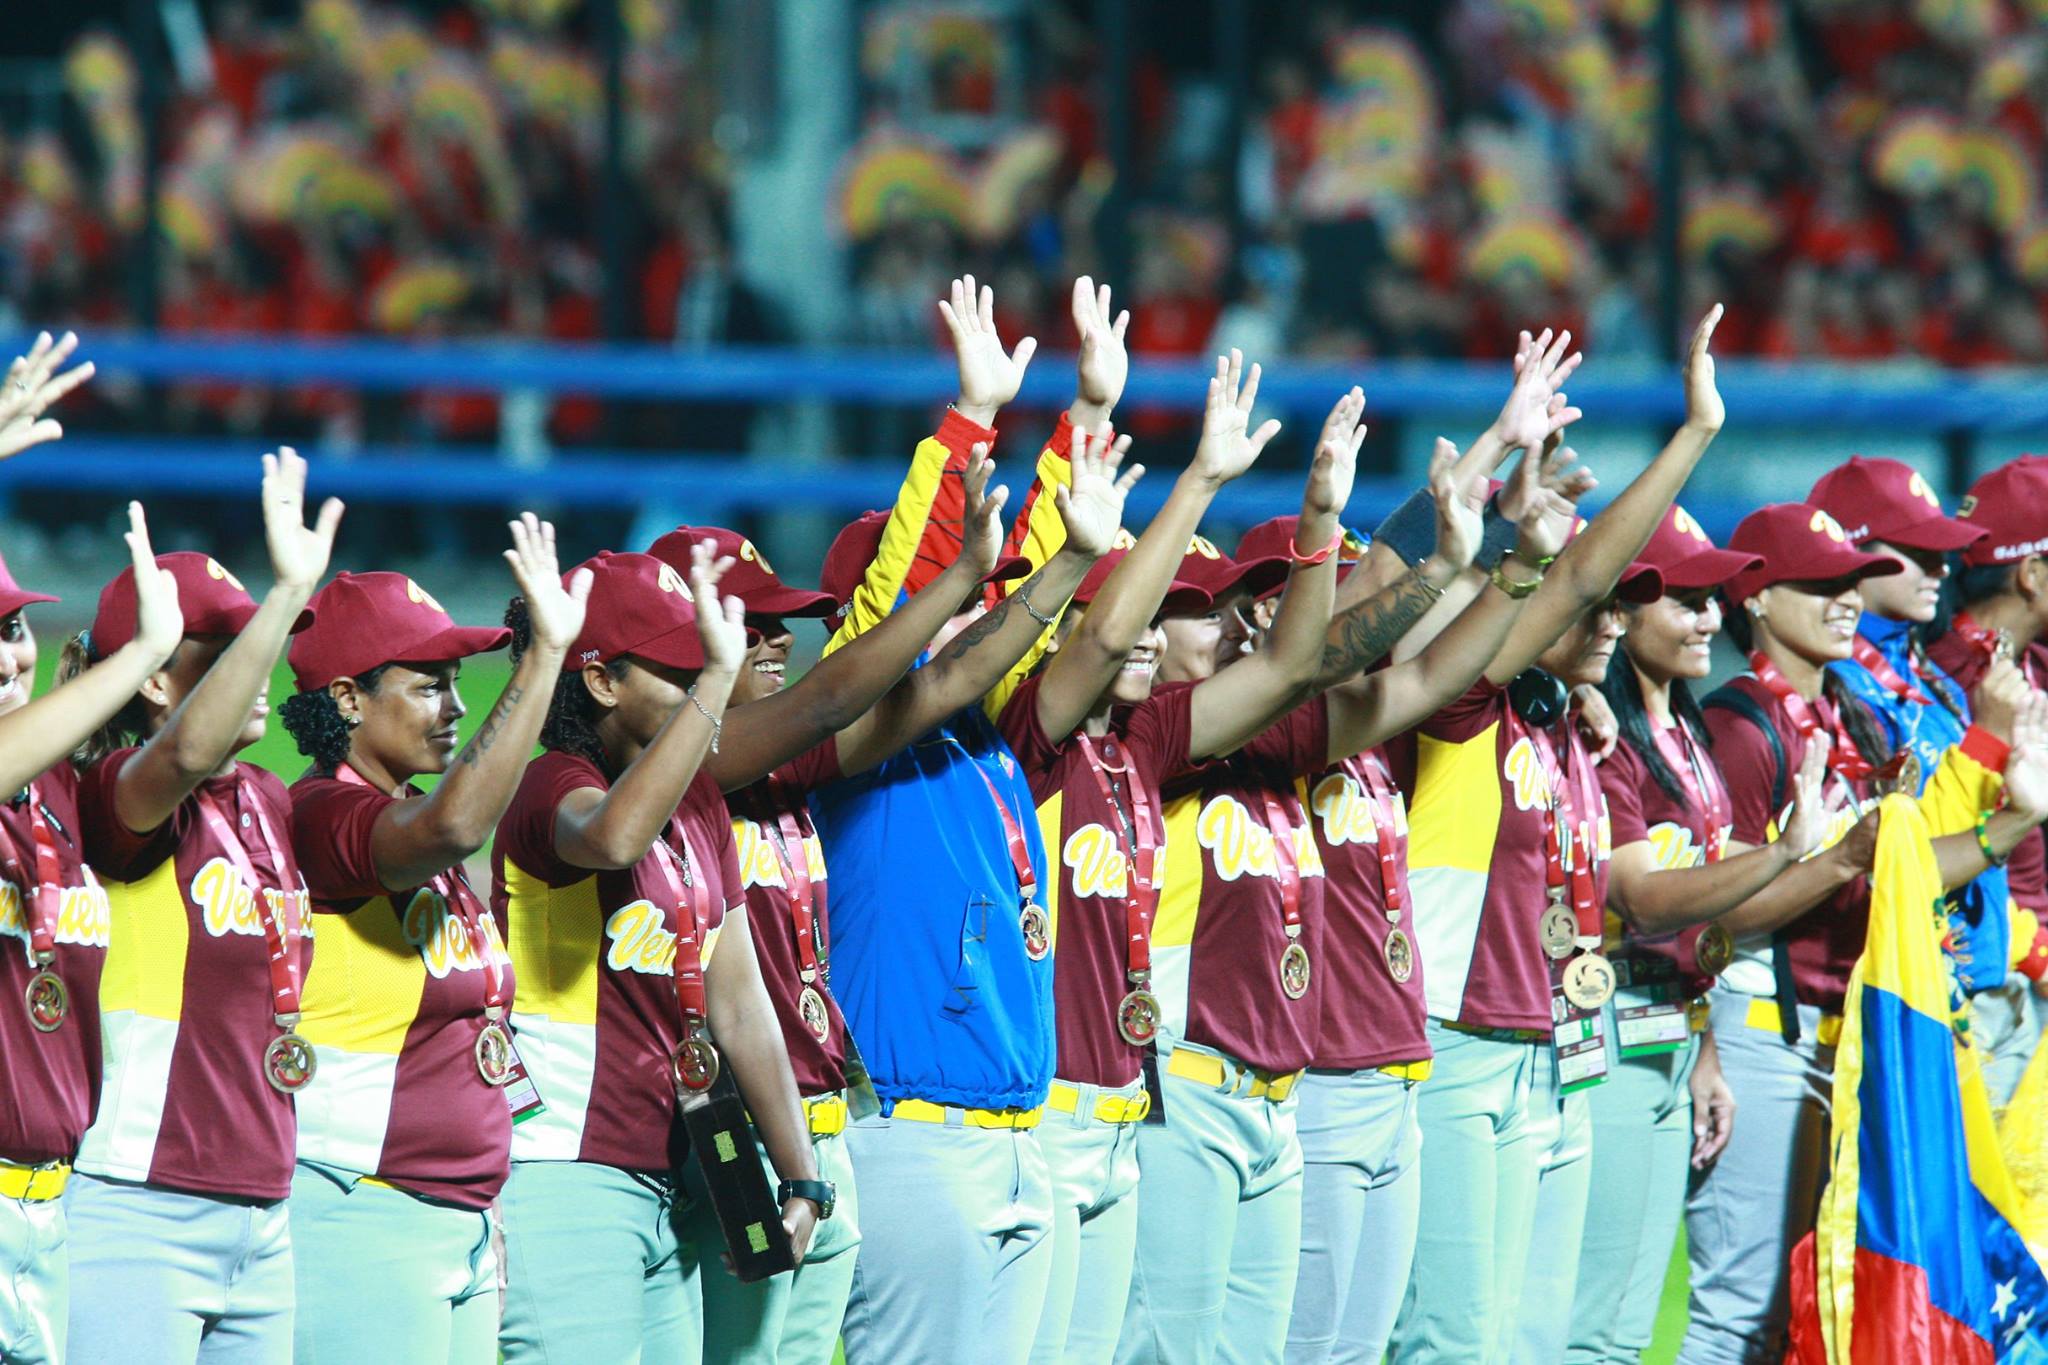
56, 910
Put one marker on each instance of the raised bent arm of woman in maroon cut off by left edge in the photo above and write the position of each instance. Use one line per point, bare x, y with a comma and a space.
46, 732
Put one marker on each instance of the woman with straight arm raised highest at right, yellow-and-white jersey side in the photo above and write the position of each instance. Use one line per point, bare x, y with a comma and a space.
1508, 852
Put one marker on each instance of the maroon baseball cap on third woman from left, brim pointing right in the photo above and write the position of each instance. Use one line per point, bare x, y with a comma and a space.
370, 619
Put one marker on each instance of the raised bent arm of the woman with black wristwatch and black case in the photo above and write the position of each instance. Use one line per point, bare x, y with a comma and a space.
617, 826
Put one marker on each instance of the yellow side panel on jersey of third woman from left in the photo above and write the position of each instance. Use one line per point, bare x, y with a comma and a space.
368, 981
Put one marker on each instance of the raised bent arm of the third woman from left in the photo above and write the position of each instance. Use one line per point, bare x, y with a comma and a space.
419, 840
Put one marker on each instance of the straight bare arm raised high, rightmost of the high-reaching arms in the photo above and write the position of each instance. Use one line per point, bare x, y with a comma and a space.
1594, 564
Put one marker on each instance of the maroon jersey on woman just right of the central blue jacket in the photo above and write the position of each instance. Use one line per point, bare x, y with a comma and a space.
1089, 846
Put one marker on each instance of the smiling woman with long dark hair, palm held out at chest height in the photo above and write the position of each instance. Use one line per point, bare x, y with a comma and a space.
1666, 1108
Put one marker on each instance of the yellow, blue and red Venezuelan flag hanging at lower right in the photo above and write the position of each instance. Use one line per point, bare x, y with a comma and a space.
1918, 1253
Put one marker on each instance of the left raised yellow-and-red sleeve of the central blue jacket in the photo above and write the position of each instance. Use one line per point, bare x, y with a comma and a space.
914, 547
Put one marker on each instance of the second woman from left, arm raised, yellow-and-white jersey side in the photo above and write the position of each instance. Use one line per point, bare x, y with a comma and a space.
179, 1202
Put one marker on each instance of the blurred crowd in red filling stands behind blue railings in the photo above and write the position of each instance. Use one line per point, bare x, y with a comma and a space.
1861, 183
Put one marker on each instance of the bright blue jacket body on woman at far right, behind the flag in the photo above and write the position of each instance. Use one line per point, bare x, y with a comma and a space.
1977, 914
